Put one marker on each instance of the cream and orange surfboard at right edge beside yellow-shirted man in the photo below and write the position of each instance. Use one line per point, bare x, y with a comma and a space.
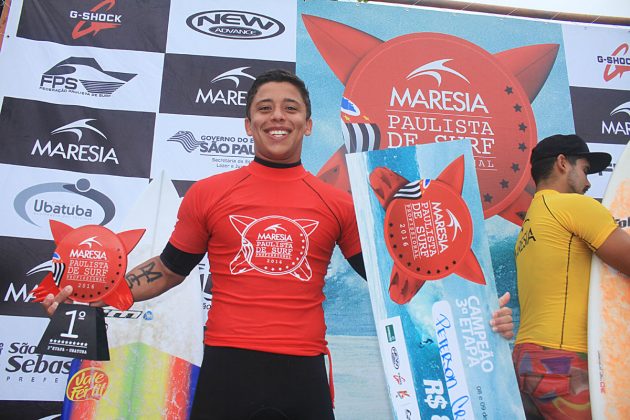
609, 311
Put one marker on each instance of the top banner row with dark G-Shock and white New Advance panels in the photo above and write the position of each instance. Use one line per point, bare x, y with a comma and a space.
139, 26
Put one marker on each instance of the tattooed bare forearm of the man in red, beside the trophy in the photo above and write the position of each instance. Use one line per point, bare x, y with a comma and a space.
151, 279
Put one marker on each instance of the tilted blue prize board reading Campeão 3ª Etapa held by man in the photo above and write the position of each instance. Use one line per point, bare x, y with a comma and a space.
431, 283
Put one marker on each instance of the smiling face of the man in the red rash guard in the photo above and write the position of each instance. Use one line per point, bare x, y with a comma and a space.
278, 122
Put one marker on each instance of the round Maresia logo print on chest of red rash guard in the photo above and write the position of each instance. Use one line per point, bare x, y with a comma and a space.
273, 245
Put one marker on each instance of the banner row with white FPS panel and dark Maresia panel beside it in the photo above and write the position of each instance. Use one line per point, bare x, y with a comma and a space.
174, 83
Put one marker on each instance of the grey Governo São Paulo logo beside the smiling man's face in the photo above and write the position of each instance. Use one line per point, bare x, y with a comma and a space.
211, 145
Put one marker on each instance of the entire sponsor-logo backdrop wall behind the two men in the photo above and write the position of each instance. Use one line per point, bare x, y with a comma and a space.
98, 97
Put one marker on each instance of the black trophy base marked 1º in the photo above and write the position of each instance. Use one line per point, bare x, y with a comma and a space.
76, 331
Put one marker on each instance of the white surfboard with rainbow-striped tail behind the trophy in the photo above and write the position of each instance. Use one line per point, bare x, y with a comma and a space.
156, 346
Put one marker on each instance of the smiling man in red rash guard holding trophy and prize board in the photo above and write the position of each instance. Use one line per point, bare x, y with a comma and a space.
269, 230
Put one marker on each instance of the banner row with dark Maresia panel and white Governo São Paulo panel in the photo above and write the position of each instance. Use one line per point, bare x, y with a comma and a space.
120, 143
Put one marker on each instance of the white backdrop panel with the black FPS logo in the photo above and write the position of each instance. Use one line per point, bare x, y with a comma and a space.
95, 77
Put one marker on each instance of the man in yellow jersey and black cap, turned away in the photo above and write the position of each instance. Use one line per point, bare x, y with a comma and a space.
553, 253
